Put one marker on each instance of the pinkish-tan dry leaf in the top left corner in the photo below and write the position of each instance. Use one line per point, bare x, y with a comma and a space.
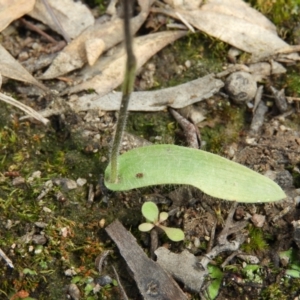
11, 10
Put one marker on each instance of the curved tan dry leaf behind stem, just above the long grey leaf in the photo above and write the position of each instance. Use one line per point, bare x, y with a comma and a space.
112, 76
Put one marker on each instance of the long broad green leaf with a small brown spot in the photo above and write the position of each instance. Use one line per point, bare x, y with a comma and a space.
213, 174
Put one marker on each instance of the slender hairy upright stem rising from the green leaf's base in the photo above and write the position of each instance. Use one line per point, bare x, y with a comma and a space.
127, 89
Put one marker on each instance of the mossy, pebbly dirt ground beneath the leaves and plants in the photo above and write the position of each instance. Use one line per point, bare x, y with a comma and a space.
53, 229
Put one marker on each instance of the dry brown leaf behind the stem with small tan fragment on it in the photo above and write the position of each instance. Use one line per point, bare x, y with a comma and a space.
74, 56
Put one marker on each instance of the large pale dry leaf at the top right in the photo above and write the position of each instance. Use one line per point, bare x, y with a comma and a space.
233, 22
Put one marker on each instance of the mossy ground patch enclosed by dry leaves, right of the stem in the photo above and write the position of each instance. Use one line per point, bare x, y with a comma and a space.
170, 61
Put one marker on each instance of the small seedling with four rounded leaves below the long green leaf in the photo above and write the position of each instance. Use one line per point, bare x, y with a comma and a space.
154, 218
